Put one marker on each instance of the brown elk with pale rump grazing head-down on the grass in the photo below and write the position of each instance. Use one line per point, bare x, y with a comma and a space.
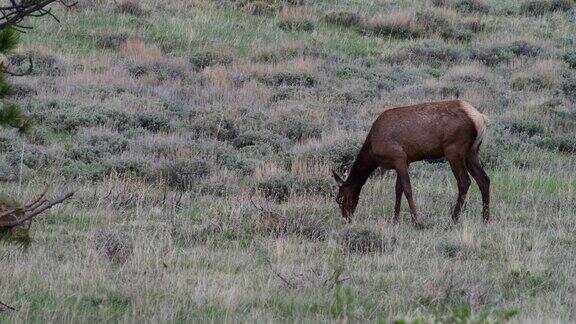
451, 129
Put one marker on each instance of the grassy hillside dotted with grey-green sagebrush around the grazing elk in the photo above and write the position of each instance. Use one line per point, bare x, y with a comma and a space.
199, 137
